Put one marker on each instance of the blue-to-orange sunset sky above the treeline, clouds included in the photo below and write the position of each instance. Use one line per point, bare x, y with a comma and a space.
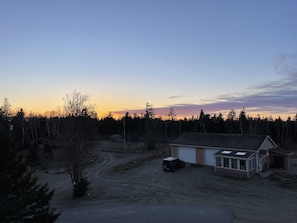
214, 55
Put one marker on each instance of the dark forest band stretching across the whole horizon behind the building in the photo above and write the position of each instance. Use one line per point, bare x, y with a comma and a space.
28, 128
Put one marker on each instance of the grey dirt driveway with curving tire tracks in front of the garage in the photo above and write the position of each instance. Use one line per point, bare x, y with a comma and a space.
257, 199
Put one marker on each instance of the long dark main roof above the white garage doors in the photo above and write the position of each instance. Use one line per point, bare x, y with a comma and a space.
220, 140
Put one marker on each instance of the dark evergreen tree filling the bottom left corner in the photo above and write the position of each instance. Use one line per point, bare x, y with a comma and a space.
22, 199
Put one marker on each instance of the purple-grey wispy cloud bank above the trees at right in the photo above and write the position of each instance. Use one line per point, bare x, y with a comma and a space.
272, 97
